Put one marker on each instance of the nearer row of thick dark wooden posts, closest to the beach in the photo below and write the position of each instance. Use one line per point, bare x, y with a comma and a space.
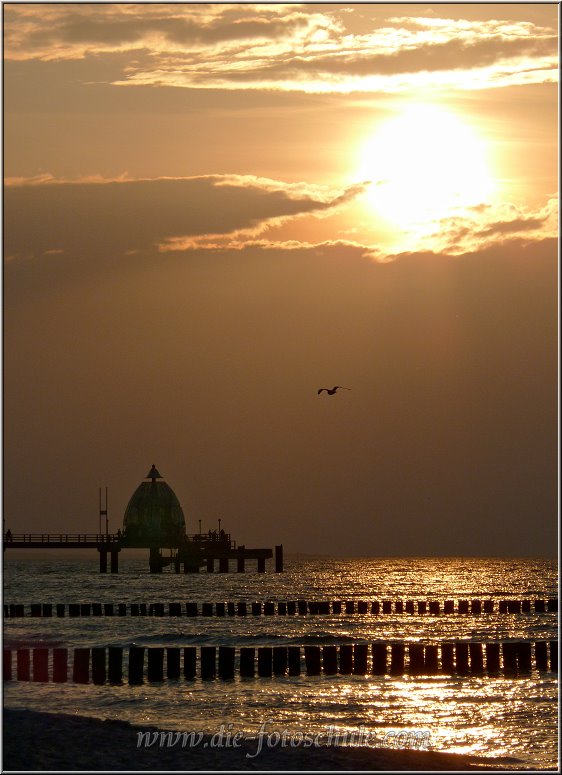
105, 664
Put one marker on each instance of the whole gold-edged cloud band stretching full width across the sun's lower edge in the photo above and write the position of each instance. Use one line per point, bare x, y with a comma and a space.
98, 220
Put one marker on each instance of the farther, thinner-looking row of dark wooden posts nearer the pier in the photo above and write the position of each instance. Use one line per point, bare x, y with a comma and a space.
301, 607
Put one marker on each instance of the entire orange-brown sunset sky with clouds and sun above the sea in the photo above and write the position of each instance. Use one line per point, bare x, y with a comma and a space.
213, 210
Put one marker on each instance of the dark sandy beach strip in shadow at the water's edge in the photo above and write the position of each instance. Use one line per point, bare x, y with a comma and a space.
51, 741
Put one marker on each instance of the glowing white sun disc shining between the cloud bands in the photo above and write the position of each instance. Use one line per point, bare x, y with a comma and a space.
425, 164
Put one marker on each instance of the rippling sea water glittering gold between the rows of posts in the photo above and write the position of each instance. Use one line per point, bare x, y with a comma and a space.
483, 715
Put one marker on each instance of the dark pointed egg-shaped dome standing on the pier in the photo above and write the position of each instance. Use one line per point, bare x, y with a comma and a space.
153, 516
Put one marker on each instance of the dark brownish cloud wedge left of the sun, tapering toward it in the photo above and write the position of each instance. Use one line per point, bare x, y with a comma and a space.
111, 218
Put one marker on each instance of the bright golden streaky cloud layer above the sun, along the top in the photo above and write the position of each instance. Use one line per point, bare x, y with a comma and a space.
291, 47
